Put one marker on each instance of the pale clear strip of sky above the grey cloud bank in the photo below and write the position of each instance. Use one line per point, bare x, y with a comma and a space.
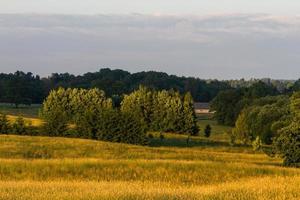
194, 7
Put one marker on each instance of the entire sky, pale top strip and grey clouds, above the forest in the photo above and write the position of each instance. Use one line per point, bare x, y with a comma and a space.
223, 39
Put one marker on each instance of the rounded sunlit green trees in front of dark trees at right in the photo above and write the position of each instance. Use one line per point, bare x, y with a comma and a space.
262, 119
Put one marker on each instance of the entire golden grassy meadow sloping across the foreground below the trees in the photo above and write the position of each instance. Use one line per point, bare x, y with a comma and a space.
169, 168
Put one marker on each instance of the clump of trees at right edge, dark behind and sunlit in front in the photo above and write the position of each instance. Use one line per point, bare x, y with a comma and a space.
262, 115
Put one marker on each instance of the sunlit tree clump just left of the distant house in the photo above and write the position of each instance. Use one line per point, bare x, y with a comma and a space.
165, 111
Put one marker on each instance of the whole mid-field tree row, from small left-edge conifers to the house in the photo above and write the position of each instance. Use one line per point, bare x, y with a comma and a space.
89, 113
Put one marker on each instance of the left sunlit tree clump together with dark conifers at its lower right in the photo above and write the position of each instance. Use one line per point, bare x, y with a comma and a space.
90, 114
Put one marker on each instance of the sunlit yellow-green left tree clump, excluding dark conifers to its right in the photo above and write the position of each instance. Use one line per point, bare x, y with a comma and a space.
78, 106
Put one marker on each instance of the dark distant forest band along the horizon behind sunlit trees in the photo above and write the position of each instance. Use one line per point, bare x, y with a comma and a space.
26, 88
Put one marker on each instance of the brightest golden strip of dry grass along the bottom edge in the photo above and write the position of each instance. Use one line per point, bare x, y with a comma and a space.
255, 188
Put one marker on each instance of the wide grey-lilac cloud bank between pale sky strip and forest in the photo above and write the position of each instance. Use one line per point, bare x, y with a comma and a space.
211, 46
